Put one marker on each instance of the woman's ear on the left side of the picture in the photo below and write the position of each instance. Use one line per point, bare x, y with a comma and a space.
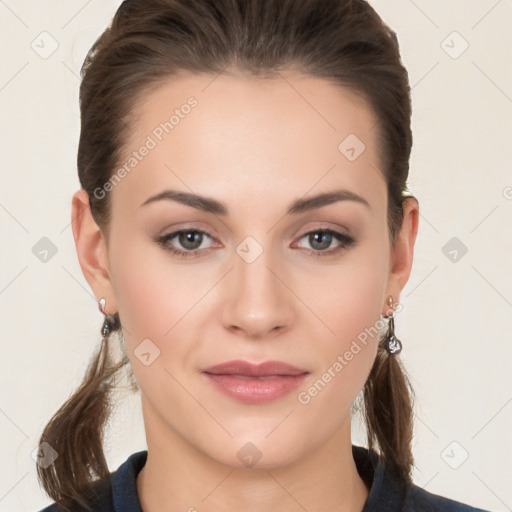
91, 249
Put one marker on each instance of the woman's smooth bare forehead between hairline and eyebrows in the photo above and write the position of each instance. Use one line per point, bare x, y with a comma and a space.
234, 134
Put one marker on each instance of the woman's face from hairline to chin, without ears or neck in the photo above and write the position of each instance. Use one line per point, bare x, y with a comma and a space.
248, 279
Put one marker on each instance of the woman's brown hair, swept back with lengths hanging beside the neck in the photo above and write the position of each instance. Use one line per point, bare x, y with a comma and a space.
145, 45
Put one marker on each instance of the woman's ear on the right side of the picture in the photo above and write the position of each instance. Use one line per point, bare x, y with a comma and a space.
402, 252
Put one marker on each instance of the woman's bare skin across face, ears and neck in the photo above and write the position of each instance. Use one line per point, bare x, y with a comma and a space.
256, 145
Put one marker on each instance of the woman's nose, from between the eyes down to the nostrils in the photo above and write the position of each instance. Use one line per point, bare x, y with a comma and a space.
259, 301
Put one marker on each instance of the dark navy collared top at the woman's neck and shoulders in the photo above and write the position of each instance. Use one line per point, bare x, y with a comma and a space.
387, 492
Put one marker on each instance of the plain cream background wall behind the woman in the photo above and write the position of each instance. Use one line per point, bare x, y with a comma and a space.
456, 321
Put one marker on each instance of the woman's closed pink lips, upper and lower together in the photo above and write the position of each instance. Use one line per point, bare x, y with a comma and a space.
255, 383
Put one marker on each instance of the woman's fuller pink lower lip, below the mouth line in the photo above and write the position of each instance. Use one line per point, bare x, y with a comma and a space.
253, 390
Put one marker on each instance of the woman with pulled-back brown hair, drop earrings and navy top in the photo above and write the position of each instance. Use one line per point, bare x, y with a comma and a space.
244, 223
